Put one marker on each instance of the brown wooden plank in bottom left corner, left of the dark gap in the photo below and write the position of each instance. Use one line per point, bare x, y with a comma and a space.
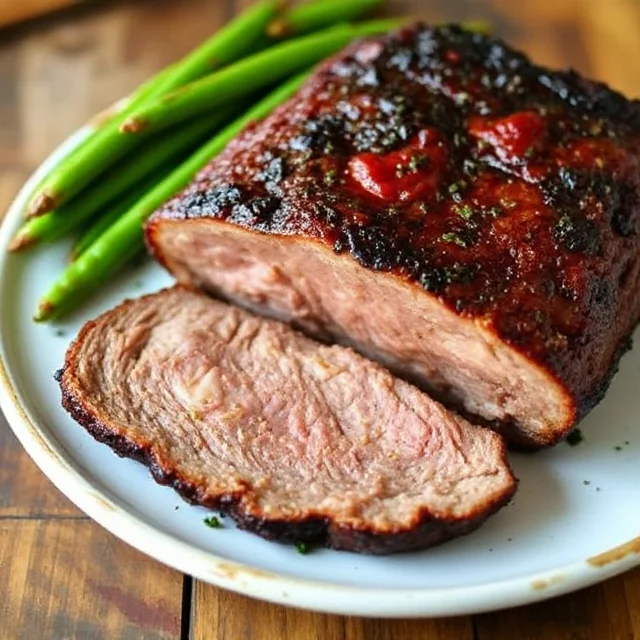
71, 579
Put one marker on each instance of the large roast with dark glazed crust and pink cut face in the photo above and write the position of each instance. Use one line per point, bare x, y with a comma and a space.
441, 204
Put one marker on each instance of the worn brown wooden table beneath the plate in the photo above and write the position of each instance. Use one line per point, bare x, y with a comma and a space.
62, 576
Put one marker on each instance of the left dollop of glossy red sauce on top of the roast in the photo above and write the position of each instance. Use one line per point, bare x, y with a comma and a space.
411, 173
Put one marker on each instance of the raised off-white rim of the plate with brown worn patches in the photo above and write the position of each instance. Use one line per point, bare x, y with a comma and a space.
34, 434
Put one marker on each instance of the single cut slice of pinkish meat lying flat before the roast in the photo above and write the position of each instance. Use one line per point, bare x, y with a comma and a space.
298, 441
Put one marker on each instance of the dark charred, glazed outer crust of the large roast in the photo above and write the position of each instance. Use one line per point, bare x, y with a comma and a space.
507, 192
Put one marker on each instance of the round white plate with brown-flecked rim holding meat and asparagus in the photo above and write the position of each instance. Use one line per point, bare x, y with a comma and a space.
575, 520
